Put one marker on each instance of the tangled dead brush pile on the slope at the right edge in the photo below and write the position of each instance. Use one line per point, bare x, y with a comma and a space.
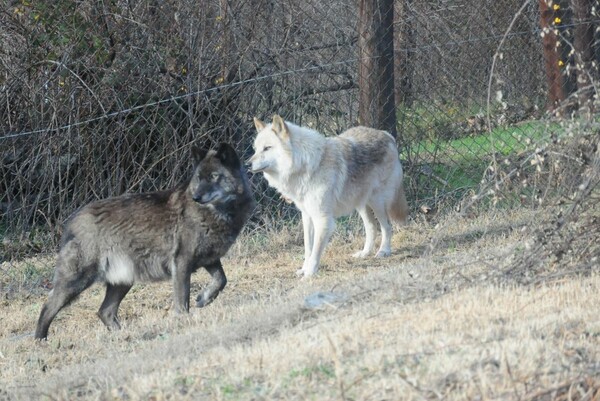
564, 178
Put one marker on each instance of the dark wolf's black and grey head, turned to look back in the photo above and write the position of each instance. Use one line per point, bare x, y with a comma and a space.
218, 177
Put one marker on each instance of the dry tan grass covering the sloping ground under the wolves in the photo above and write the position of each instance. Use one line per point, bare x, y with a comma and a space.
426, 323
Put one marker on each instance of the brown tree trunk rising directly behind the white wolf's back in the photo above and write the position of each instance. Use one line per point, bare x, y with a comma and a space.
377, 107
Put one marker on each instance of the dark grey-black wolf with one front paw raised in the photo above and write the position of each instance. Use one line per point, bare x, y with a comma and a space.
154, 236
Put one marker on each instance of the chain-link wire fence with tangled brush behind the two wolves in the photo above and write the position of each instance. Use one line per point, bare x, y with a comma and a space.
102, 98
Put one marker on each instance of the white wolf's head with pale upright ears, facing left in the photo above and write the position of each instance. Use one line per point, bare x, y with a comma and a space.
272, 148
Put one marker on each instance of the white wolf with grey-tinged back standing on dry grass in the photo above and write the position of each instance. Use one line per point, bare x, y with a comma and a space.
330, 177
